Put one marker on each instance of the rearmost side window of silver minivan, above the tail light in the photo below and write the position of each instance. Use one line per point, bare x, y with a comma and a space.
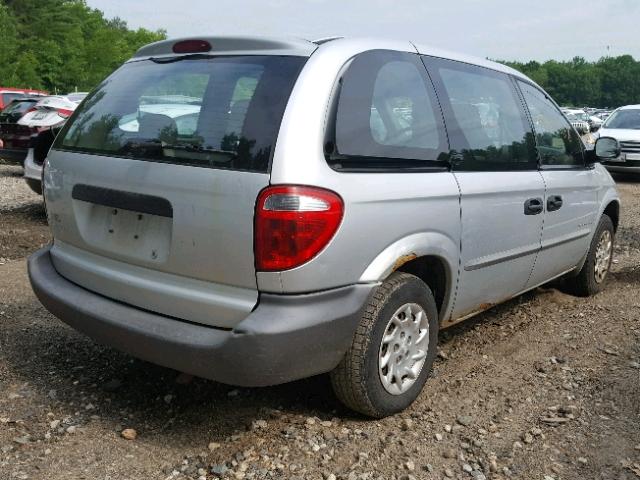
387, 115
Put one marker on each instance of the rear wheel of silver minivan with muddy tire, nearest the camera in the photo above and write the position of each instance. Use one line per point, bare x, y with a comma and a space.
393, 349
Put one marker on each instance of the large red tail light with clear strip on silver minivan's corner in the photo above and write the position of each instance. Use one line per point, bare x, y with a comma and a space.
293, 224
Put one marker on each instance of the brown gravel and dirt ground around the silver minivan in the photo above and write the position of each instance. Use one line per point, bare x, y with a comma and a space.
546, 386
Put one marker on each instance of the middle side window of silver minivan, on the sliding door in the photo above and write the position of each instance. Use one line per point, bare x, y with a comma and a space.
486, 122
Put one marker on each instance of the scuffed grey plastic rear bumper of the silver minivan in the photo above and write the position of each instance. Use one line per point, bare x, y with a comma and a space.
285, 338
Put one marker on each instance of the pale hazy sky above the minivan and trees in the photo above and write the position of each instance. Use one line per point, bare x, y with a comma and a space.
497, 29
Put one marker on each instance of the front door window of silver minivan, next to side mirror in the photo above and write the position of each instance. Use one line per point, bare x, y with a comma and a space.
558, 143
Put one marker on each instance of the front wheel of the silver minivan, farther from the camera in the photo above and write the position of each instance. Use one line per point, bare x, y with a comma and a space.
593, 275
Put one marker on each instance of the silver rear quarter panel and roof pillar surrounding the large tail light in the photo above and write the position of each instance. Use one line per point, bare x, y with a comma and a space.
380, 208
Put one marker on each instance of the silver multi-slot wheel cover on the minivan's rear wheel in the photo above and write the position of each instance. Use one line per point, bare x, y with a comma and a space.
403, 350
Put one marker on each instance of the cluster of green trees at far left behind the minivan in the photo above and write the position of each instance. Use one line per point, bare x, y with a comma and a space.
61, 45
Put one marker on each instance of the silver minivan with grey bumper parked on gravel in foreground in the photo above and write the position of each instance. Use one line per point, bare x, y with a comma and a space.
256, 211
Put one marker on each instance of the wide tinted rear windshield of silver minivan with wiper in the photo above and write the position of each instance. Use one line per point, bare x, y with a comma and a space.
219, 112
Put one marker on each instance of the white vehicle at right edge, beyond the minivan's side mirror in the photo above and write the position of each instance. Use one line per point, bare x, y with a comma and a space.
624, 126
